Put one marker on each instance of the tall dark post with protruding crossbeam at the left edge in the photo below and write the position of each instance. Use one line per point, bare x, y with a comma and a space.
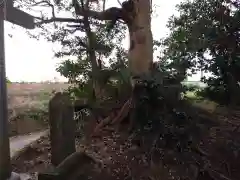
9, 13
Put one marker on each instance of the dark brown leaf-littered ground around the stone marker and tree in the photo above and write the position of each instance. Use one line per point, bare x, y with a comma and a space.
214, 157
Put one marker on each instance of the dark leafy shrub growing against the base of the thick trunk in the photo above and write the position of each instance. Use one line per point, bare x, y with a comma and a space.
156, 92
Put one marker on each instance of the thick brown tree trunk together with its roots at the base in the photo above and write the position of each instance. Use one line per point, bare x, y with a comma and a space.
140, 57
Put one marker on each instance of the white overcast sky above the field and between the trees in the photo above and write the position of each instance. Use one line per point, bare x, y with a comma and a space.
32, 60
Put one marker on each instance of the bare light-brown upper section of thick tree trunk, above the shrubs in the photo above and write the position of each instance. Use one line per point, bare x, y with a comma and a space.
141, 40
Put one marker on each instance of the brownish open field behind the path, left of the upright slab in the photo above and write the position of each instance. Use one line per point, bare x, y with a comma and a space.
27, 105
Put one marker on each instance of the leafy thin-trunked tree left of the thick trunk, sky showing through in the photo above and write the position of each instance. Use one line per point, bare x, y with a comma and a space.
86, 45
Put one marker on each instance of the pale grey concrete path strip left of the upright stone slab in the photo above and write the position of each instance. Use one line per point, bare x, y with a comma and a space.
18, 143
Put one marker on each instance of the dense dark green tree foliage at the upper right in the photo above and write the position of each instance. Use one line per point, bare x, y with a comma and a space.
205, 36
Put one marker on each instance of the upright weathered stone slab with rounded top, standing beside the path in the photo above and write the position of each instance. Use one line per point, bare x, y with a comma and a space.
62, 127
